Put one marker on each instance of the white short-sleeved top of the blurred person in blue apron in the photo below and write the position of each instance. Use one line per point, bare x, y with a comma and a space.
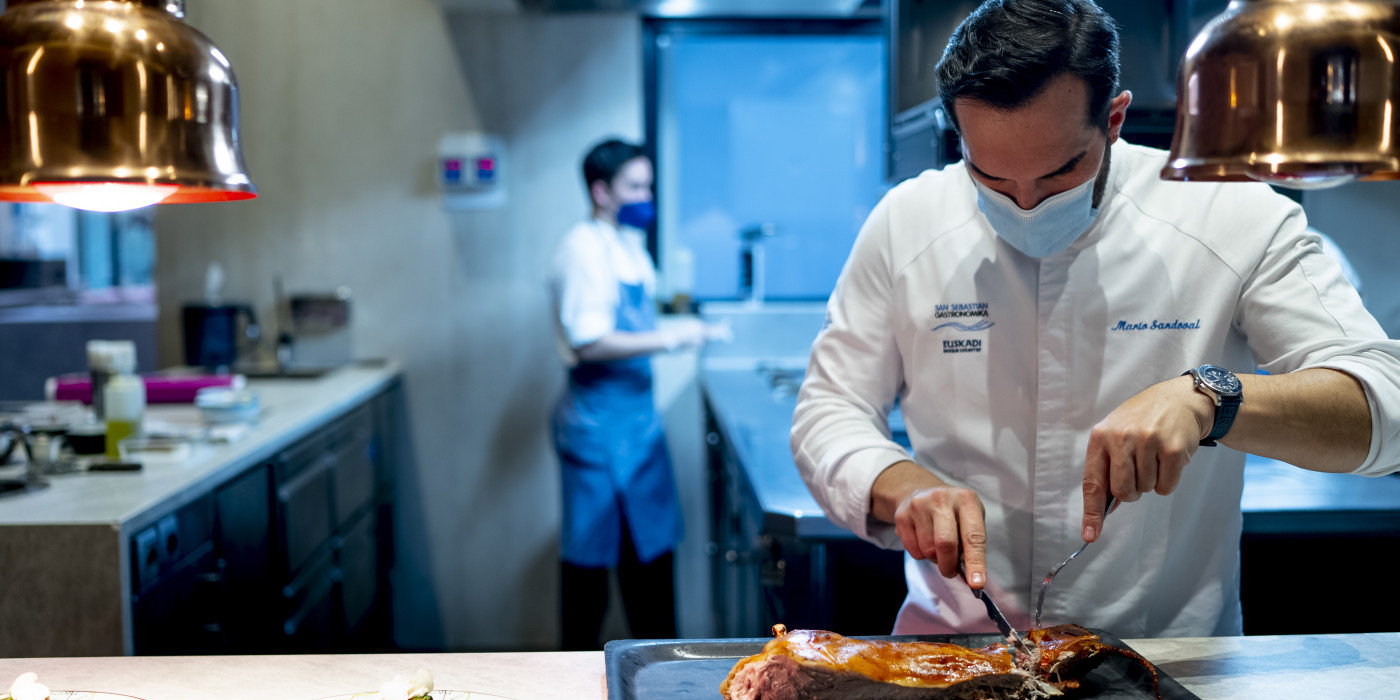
590, 262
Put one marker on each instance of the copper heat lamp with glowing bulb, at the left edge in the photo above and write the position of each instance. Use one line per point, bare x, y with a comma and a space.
115, 104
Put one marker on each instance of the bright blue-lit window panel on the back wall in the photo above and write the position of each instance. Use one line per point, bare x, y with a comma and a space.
779, 129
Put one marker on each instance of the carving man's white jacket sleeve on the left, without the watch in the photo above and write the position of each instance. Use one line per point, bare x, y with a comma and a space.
841, 439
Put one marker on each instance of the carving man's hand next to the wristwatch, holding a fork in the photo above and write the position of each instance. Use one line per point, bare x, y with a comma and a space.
1143, 447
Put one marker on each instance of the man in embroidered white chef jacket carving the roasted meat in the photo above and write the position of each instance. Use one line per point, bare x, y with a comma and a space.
1034, 311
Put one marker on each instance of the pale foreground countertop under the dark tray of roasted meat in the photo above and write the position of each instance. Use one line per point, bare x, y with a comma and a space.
1216, 668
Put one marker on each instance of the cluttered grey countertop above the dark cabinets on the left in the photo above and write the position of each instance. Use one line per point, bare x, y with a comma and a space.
292, 408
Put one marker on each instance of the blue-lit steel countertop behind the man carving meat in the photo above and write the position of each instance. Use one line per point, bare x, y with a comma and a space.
754, 409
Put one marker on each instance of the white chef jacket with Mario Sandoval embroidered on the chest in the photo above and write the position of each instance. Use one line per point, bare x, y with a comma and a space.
1003, 365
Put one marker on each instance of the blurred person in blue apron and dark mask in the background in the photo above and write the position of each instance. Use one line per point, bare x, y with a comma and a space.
621, 507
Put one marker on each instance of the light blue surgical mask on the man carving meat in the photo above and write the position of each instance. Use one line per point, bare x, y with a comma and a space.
1048, 229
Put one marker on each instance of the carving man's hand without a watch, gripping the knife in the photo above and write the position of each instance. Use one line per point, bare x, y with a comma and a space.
934, 521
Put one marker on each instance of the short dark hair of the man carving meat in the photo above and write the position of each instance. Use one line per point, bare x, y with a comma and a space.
1006, 52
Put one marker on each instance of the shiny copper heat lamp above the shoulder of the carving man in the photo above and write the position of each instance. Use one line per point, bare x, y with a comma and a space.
1296, 93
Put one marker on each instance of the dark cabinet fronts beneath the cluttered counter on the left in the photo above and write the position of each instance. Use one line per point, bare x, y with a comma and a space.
282, 558
